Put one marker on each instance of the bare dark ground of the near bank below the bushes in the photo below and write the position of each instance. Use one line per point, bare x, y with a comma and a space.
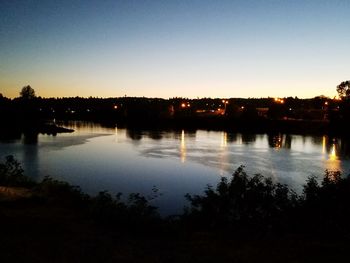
37, 231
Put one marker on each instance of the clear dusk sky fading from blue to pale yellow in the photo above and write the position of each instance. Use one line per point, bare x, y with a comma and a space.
199, 48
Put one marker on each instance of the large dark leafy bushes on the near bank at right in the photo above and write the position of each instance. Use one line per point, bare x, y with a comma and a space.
256, 204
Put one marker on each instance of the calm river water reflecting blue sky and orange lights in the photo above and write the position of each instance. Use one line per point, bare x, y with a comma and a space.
175, 162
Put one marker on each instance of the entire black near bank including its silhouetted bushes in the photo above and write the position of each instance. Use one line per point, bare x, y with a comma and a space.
52, 221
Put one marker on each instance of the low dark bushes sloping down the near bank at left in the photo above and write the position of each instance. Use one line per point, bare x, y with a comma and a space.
102, 208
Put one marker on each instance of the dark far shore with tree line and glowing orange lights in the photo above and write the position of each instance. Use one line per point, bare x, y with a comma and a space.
210, 112
